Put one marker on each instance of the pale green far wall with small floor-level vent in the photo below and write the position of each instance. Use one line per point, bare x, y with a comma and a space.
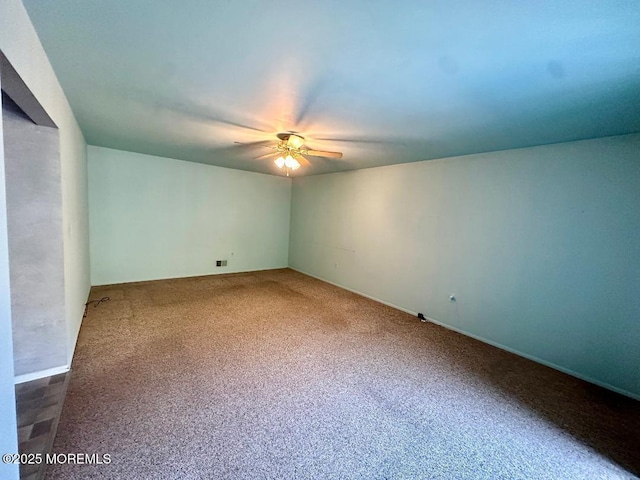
154, 217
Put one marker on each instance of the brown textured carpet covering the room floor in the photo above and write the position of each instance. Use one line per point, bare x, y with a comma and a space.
277, 375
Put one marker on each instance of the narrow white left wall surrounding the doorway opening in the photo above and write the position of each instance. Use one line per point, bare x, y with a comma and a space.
21, 46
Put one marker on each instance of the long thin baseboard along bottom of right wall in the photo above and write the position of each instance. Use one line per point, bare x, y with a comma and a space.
490, 342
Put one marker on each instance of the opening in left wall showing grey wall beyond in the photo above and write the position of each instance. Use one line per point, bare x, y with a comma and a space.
34, 228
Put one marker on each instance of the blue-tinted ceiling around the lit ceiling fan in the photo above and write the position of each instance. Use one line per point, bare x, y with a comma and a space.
387, 81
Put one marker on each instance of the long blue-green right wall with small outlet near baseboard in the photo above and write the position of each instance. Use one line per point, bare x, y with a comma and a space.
541, 247
